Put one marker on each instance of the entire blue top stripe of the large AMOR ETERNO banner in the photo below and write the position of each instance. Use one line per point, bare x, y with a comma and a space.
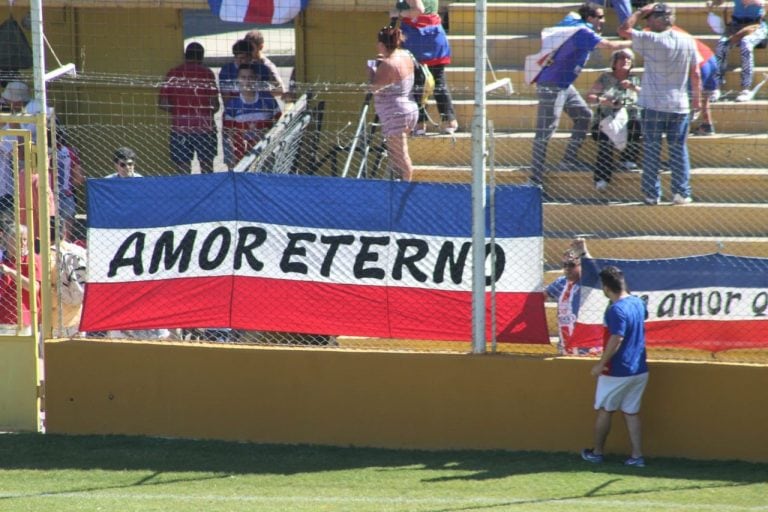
309, 201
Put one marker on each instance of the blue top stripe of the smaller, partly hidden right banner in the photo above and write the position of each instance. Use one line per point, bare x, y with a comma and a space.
683, 273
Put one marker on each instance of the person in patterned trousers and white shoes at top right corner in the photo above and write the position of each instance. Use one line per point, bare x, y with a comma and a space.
746, 30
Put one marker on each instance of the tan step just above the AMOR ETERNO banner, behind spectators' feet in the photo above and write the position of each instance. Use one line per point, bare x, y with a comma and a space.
712, 185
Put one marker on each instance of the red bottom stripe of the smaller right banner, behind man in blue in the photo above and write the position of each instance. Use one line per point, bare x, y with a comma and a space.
709, 335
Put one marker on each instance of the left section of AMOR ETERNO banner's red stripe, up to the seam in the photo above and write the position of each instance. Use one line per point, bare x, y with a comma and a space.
199, 302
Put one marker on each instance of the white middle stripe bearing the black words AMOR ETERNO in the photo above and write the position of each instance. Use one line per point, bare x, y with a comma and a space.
306, 254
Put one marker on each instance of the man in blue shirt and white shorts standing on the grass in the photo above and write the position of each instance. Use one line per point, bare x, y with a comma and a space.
622, 372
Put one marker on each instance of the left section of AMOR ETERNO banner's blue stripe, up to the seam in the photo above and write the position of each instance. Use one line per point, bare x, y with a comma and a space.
160, 201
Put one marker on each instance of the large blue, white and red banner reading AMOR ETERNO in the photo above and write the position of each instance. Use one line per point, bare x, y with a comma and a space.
306, 254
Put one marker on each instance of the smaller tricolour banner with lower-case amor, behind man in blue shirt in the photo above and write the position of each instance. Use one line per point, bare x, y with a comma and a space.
713, 302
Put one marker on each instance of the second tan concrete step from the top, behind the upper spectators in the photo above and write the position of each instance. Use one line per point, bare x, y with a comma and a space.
510, 51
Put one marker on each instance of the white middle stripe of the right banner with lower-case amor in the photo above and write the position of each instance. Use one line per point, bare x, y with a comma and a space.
707, 303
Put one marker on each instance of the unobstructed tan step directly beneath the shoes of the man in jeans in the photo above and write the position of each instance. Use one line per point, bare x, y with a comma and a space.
697, 219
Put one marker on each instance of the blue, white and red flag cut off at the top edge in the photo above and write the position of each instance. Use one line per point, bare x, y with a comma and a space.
273, 12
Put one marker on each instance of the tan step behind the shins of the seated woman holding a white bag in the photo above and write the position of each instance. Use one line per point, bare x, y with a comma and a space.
514, 149
